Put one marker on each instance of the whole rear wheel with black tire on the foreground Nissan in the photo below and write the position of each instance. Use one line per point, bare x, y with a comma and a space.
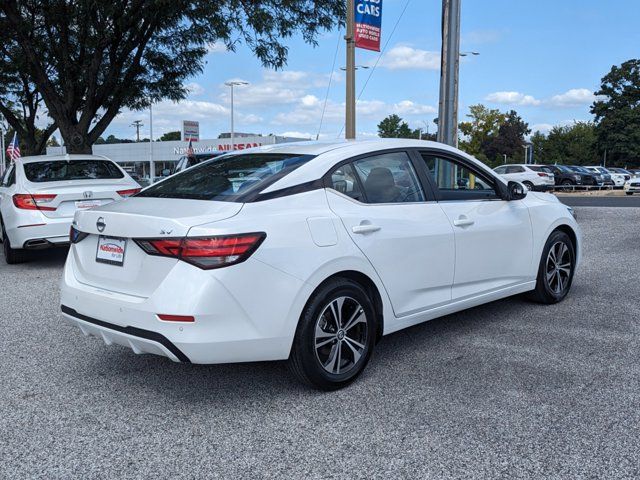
317, 326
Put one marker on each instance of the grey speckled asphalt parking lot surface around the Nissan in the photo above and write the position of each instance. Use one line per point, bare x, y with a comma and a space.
509, 389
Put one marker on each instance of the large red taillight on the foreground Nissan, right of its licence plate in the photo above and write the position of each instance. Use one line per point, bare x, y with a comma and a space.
206, 253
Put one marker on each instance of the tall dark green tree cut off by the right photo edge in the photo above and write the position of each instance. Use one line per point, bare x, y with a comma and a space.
617, 113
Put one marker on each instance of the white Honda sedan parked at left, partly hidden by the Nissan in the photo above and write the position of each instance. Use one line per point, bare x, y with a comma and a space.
40, 195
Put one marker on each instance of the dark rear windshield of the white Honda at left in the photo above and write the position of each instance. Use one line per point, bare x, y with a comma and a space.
39, 172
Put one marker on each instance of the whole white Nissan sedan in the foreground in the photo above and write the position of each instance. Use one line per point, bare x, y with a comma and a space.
311, 252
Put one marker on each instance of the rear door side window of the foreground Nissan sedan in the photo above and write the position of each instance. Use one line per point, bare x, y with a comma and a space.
389, 178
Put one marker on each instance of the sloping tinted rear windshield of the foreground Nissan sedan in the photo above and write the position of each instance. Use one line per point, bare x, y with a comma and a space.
227, 179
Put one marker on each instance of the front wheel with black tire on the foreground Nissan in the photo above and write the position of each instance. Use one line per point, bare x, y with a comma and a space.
555, 278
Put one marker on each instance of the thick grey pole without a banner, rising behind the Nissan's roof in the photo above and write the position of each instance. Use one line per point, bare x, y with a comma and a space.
450, 67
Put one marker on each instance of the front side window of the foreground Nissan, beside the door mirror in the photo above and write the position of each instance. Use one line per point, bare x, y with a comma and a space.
456, 181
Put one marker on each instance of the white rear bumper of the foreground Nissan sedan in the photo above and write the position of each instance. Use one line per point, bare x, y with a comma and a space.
234, 321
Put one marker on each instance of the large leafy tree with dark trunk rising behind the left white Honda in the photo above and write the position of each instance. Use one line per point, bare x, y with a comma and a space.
89, 59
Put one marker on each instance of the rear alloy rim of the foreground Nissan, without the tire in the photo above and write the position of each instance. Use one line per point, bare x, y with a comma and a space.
341, 333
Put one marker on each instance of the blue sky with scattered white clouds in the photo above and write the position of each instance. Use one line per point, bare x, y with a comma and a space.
543, 58
